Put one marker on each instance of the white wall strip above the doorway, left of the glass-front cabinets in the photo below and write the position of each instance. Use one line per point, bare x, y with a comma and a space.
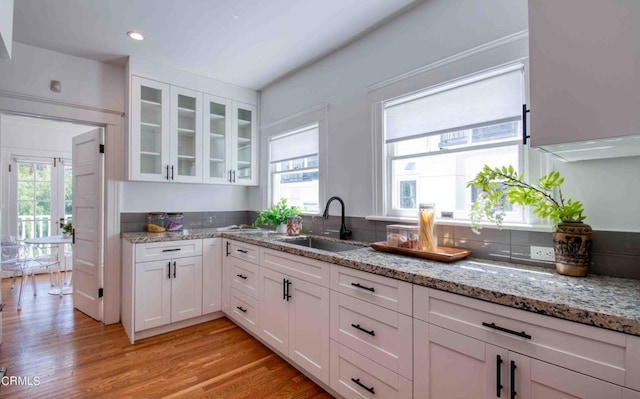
84, 82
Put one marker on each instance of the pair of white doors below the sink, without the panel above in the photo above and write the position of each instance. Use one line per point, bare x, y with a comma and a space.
296, 320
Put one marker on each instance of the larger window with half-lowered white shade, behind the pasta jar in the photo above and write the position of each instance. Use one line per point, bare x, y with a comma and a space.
437, 140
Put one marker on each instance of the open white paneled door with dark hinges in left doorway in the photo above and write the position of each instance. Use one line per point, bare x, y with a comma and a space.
87, 222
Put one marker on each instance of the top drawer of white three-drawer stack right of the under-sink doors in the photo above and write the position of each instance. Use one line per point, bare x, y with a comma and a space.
384, 291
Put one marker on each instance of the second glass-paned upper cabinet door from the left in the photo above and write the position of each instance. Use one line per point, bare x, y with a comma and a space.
186, 136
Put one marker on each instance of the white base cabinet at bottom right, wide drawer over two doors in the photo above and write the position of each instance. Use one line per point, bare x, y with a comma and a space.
469, 348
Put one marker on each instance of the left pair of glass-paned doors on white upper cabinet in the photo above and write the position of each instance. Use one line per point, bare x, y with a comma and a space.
166, 133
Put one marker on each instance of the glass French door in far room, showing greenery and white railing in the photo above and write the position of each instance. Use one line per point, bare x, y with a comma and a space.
40, 196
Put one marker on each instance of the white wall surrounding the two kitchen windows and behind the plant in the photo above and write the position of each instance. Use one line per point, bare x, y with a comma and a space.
432, 31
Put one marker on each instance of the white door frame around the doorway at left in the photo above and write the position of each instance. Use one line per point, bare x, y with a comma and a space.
113, 123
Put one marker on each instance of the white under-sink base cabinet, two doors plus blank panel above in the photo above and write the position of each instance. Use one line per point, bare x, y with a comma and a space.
294, 305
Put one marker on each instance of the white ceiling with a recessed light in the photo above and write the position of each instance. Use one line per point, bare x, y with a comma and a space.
249, 43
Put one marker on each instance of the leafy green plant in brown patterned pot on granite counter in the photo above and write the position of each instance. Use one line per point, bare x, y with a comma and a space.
572, 239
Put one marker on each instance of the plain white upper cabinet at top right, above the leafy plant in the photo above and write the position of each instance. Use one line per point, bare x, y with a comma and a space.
584, 70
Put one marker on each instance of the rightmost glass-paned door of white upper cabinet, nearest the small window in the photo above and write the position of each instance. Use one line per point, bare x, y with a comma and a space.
244, 146
